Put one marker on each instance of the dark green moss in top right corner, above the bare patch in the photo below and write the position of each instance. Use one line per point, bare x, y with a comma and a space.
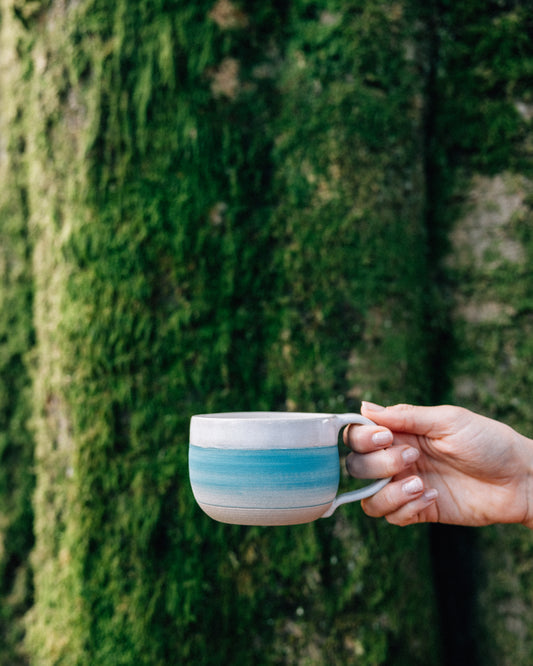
486, 66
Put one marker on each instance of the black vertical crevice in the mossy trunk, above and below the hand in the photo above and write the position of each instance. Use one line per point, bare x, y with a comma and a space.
453, 549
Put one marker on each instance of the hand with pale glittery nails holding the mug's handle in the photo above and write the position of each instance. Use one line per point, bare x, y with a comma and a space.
448, 464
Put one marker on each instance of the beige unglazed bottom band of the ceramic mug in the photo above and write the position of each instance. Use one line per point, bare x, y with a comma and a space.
264, 517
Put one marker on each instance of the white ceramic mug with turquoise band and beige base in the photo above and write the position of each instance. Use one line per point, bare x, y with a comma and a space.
270, 468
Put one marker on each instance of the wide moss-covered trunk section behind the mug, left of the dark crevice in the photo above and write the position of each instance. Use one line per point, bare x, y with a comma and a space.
162, 273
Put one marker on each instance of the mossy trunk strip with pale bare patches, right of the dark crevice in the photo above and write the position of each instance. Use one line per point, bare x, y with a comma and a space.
482, 156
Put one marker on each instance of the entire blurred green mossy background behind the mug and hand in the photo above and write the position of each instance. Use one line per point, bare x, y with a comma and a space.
221, 205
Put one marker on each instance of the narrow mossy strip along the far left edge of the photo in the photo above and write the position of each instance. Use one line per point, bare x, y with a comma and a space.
16, 342
